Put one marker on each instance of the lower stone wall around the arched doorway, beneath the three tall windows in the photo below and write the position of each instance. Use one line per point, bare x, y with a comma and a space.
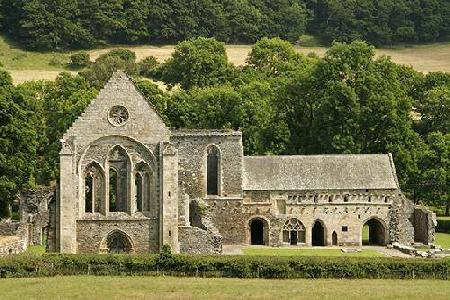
91, 234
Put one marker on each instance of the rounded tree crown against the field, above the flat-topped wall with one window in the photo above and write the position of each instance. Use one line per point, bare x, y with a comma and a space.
198, 62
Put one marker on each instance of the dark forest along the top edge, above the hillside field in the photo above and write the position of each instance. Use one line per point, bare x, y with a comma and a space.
63, 24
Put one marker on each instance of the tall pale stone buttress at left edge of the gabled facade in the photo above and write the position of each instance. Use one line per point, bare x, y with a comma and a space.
67, 201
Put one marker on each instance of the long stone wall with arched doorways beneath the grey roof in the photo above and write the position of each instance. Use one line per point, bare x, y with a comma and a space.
343, 212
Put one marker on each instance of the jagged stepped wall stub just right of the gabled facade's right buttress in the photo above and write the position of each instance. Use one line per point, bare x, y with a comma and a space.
202, 236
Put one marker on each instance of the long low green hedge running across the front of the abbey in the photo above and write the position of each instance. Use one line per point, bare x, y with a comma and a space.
223, 266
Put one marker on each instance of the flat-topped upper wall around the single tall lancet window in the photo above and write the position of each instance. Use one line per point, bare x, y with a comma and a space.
192, 147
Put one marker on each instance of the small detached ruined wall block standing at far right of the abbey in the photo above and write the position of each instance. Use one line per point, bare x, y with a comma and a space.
424, 226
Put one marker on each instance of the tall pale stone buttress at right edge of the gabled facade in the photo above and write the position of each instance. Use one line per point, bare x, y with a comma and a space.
169, 197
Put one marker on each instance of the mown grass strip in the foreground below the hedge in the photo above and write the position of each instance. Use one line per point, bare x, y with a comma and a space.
85, 287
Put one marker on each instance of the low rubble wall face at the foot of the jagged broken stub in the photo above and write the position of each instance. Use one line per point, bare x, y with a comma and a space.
195, 240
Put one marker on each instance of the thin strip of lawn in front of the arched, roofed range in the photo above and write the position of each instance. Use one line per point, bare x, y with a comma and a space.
308, 252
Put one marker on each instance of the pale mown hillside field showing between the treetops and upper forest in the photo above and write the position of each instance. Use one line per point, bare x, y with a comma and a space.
25, 65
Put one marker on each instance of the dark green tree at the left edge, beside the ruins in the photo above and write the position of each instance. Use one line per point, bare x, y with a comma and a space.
17, 143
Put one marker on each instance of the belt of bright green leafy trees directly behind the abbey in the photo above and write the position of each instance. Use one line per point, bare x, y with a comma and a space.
349, 101
